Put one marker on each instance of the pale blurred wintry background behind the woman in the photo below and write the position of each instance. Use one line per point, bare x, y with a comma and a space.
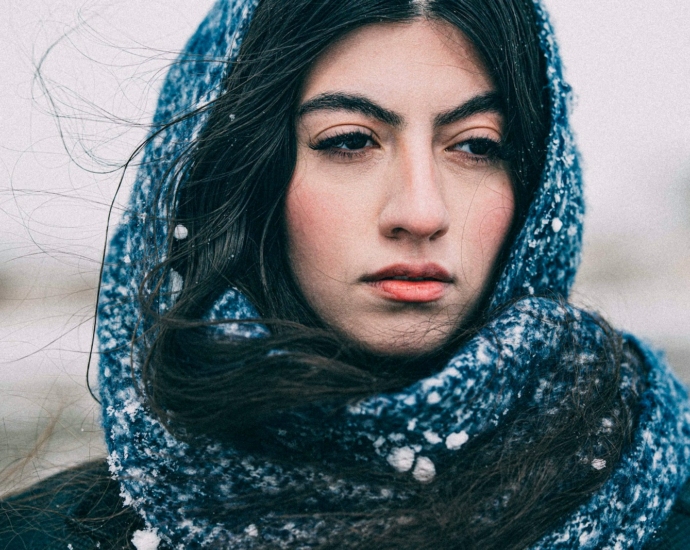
103, 62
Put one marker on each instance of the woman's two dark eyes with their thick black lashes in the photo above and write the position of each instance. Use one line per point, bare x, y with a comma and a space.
332, 146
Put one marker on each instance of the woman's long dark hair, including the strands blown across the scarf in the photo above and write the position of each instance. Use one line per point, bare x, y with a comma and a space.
229, 195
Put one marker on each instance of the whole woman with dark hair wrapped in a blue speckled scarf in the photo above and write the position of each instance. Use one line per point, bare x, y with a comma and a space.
336, 313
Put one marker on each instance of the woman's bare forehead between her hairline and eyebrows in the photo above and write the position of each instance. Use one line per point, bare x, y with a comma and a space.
422, 61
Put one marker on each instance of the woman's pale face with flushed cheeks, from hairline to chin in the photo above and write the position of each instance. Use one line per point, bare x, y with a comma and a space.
400, 202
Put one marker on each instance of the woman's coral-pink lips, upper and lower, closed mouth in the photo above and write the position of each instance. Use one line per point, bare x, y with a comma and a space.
432, 286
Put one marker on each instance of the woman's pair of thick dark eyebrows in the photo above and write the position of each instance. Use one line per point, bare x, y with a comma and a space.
483, 103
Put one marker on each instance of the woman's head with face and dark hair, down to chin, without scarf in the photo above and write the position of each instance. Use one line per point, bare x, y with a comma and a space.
262, 162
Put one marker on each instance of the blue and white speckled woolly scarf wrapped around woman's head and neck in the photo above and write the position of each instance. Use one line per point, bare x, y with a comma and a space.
413, 432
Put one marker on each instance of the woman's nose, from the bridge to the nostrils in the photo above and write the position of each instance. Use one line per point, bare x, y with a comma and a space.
415, 207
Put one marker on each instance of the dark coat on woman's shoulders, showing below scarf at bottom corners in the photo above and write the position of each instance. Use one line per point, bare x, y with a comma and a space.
81, 509
